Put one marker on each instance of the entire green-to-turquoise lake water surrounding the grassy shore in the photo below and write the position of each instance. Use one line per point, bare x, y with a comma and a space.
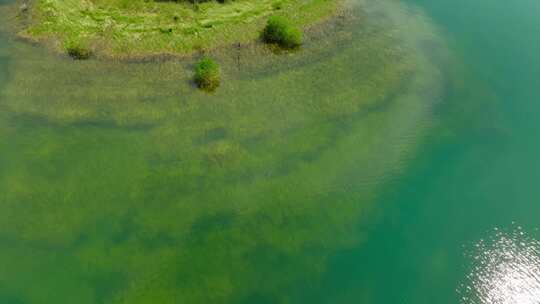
395, 162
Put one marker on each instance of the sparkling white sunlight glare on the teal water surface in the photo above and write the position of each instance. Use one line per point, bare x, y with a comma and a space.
506, 271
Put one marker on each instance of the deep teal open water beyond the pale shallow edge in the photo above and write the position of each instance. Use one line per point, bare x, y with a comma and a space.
460, 192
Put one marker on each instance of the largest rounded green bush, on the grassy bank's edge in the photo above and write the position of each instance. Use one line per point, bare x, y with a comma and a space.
279, 30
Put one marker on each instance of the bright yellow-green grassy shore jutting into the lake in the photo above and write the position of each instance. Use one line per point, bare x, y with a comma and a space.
141, 28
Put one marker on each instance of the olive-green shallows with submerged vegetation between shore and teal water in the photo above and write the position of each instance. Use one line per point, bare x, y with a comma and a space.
140, 194
